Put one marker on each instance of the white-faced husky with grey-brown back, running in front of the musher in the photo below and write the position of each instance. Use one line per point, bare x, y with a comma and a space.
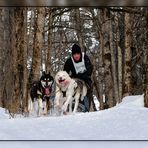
67, 90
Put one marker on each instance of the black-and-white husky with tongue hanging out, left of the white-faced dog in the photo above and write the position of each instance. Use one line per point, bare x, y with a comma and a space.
40, 93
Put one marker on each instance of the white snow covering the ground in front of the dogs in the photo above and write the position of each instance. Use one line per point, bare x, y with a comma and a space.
126, 121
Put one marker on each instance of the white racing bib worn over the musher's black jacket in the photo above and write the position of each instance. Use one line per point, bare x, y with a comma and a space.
80, 66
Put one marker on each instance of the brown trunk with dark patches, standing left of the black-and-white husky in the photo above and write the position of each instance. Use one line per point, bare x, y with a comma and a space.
17, 66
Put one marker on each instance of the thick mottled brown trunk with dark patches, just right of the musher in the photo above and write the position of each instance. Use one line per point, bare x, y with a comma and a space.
108, 79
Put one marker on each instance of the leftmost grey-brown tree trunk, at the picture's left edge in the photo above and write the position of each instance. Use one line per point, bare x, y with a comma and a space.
7, 81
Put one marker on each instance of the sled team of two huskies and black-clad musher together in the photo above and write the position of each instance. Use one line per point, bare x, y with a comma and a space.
70, 91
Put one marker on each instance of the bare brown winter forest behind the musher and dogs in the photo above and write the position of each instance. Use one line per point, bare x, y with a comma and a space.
34, 39
